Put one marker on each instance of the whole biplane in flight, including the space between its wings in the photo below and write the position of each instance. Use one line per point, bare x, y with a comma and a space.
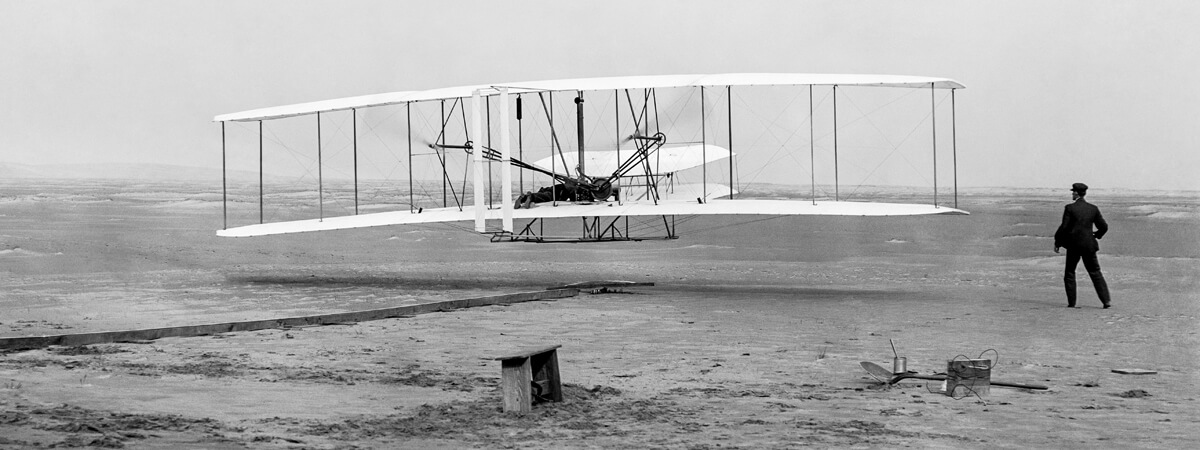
619, 159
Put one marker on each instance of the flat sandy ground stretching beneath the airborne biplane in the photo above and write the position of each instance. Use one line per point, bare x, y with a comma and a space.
752, 338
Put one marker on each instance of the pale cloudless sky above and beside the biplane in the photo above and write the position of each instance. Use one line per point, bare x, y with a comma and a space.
1057, 92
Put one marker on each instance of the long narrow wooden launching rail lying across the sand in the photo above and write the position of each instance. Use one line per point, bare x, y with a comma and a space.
86, 339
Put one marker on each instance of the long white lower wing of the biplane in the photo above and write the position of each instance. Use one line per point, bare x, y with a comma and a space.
664, 208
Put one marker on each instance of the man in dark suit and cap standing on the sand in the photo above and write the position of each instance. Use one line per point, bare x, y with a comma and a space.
1077, 236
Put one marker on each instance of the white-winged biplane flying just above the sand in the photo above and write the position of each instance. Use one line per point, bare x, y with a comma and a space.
646, 169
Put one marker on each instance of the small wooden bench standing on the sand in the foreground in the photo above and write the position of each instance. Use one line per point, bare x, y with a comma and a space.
530, 376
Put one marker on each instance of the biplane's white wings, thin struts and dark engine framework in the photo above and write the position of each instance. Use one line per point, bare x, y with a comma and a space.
599, 196
